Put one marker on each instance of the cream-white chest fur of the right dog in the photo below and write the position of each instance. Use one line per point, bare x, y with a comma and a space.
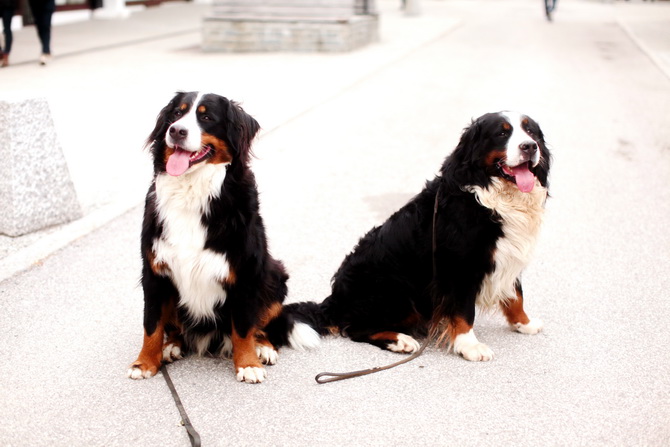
521, 216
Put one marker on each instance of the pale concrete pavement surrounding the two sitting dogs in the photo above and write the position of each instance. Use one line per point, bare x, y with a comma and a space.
347, 139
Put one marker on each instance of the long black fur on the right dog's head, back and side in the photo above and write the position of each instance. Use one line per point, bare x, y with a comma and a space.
386, 283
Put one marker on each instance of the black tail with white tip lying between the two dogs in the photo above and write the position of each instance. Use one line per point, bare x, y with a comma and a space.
300, 326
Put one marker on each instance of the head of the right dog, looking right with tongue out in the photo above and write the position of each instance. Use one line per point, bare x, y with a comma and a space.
507, 145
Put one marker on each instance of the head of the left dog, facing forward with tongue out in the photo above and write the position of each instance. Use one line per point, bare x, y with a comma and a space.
198, 128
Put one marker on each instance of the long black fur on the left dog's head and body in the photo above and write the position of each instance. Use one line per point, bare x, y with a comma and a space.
234, 227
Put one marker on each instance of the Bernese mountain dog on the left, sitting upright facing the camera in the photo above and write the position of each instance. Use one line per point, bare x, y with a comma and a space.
210, 285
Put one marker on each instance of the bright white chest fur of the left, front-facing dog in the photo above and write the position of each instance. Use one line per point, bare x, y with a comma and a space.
198, 273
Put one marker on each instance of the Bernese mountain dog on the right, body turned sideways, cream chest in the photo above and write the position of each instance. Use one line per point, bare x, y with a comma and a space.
463, 241
